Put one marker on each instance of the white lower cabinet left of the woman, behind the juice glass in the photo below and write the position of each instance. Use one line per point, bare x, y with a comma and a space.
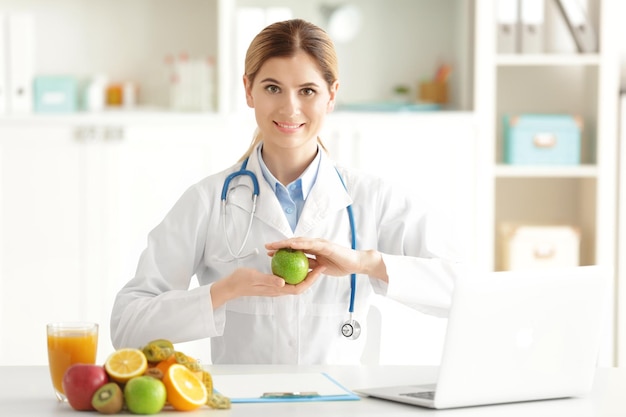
79, 196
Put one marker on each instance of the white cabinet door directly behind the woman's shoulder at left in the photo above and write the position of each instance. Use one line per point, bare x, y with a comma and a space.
147, 172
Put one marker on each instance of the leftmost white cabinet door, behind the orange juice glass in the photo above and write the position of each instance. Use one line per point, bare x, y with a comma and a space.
42, 277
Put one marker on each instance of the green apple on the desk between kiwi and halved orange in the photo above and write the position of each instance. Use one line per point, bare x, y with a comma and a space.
145, 395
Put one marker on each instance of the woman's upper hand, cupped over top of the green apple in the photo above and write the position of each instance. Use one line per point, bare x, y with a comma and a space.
338, 260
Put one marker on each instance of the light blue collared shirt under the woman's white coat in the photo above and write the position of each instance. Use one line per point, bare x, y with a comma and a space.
292, 196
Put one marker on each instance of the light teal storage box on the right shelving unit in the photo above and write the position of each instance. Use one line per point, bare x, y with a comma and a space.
542, 139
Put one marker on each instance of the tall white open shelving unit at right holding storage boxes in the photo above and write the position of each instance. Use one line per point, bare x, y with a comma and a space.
558, 81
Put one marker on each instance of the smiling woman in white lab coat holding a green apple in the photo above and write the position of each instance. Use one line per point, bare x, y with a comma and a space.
250, 315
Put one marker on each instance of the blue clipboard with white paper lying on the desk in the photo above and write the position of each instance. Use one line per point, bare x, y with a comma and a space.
281, 387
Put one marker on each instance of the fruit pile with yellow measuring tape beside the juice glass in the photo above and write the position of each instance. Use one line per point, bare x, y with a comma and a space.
142, 380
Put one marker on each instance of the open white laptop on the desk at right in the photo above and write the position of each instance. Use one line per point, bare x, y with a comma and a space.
516, 336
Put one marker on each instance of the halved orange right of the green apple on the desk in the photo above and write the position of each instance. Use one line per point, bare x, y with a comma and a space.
185, 391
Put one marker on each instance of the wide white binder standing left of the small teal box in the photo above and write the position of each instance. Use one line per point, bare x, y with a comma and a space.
21, 57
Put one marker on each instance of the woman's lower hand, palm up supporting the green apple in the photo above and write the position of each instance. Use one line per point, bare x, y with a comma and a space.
250, 282
